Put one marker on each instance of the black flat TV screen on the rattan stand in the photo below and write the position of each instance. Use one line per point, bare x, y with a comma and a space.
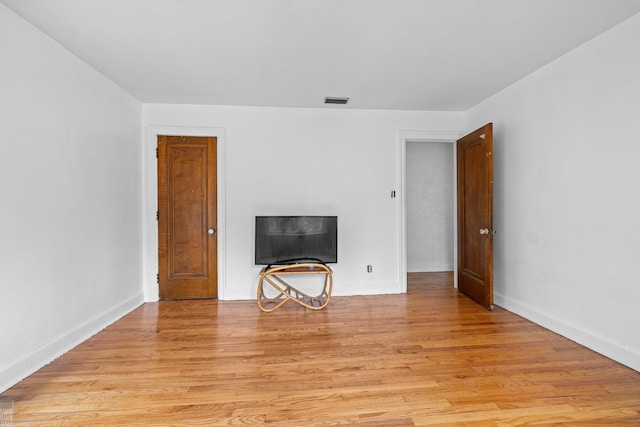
293, 239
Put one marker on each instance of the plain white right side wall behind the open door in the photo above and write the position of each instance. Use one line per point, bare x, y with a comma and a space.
567, 197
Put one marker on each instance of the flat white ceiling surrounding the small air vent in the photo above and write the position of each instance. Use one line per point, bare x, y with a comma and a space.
444, 55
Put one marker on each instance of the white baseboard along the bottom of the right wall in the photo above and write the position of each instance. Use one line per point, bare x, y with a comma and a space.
615, 351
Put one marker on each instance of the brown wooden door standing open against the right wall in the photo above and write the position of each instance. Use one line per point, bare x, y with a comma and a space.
475, 215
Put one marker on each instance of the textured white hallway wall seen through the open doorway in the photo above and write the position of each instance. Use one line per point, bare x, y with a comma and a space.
429, 206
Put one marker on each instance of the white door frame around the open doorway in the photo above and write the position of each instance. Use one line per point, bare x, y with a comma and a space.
425, 137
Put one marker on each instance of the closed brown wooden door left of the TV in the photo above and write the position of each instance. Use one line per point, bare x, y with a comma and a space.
187, 217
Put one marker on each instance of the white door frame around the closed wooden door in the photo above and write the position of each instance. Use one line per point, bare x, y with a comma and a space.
150, 203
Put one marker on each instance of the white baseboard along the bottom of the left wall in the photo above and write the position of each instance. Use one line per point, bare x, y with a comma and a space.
26, 366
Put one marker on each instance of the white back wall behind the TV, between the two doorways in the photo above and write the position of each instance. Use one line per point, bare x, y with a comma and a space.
301, 161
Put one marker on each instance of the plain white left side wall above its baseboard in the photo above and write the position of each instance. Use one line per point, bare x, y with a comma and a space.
70, 209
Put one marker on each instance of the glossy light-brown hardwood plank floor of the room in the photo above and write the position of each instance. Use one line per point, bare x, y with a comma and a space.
430, 357
